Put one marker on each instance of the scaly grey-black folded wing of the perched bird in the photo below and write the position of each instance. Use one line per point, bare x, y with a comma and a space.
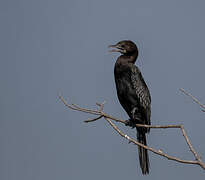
142, 91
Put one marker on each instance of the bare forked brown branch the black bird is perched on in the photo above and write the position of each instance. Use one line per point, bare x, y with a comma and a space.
100, 114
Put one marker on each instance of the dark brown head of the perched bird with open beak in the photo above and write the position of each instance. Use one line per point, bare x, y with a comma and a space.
125, 47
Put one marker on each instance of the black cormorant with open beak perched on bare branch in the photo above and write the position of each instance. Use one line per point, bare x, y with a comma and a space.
133, 94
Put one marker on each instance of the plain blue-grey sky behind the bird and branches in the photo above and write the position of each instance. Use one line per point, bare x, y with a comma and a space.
50, 46
